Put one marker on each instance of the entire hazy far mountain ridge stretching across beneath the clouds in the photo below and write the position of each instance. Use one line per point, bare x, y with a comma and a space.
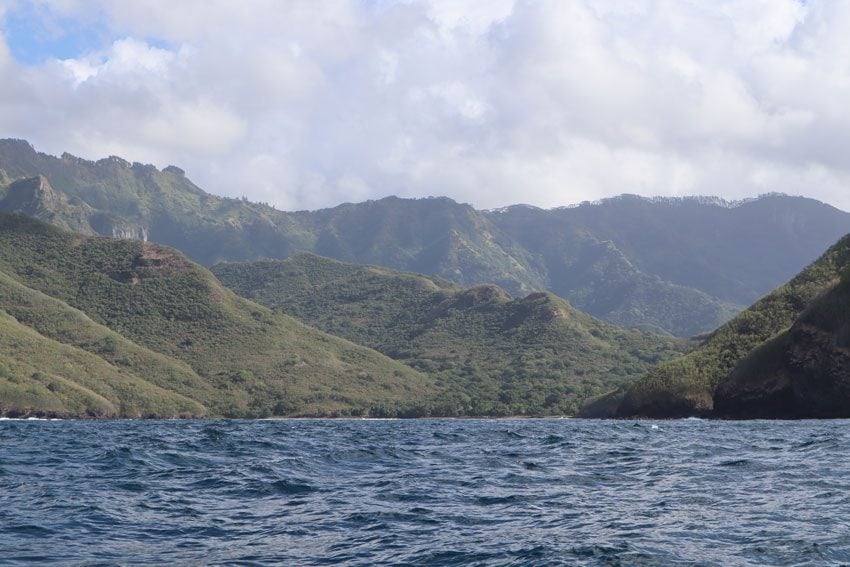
677, 266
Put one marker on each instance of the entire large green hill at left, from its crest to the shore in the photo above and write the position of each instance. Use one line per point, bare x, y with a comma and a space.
105, 327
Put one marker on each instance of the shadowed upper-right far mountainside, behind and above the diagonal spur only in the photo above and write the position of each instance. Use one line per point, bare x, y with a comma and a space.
733, 251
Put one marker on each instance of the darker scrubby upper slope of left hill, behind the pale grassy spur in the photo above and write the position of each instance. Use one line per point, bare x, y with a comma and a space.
250, 361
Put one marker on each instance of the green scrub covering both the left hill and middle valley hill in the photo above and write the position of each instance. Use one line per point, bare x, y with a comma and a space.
100, 327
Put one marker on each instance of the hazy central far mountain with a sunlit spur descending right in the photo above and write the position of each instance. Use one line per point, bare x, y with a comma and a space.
435, 236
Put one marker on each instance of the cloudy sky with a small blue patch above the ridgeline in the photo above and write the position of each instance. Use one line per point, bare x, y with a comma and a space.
308, 104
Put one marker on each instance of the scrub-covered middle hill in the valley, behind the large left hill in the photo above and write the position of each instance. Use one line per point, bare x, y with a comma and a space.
494, 354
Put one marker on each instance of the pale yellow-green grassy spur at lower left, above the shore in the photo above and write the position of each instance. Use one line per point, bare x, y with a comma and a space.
60, 332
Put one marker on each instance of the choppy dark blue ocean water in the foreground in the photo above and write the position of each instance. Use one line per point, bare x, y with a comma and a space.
430, 492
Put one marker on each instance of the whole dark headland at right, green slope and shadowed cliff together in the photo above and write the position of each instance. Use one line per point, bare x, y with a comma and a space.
776, 370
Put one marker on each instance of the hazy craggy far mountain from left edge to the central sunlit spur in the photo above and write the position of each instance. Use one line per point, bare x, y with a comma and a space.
126, 199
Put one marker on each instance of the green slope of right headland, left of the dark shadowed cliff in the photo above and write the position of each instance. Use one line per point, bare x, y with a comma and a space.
686, 386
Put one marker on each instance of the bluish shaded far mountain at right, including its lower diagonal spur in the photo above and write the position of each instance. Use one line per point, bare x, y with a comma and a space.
662, 255
